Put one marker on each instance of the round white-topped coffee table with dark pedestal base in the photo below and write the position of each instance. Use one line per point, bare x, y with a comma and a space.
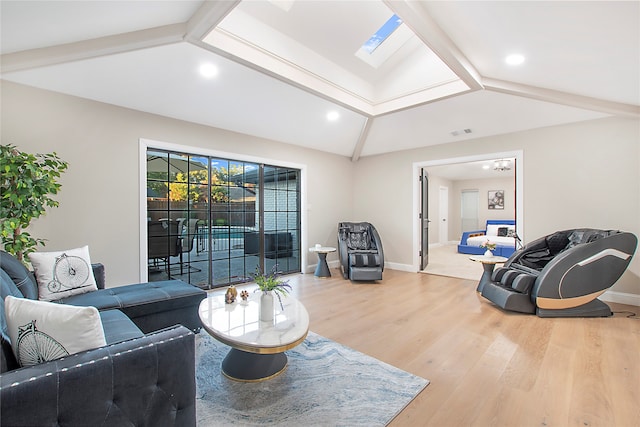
257, 348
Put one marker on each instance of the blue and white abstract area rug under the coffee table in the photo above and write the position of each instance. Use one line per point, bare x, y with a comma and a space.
325, 384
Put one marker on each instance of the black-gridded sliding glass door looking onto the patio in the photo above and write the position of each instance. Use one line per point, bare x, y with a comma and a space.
213, 221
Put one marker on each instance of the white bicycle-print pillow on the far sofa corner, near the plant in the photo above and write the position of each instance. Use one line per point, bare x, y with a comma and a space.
62, 274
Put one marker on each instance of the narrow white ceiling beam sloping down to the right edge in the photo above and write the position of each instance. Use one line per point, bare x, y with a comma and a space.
564, 98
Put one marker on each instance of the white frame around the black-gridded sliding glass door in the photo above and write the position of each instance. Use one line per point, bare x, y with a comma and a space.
144, 144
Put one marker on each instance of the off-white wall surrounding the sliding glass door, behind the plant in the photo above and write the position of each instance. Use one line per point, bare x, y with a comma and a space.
99, 200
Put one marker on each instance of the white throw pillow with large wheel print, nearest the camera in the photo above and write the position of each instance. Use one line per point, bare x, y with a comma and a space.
41, 331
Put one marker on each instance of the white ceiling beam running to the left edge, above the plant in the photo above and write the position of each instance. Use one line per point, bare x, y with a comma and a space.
93, 48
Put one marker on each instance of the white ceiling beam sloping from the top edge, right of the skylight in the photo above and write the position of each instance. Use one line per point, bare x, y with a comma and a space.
416, 17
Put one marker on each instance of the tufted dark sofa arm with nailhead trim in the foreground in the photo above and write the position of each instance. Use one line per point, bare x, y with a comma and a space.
145, 381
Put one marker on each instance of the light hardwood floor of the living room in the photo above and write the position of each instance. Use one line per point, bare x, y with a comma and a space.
487, 367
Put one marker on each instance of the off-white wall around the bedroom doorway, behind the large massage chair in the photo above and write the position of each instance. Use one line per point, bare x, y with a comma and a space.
578, 175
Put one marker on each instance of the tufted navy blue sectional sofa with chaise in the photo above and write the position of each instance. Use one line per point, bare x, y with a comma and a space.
144, 376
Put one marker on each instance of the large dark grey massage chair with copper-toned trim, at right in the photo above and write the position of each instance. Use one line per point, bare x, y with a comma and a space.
562, 274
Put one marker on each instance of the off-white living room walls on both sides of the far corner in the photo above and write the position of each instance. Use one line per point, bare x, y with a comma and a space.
579, 175
